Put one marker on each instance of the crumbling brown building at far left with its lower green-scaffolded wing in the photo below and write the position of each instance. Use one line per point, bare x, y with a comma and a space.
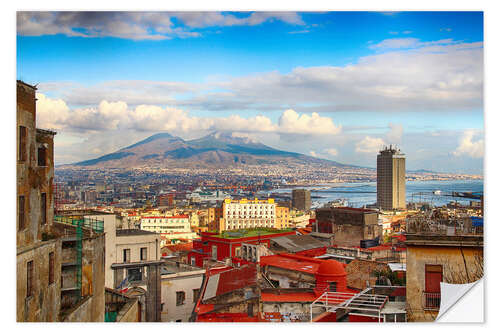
60, 261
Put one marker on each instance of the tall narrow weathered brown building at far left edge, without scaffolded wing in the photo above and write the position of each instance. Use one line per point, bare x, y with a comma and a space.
38, 257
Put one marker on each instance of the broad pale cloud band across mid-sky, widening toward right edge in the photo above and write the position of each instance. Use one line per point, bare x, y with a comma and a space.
433, 76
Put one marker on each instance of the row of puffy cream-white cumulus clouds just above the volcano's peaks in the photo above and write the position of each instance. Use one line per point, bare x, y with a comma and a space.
54, 113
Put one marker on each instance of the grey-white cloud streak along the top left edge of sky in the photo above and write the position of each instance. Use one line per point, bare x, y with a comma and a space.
137, 25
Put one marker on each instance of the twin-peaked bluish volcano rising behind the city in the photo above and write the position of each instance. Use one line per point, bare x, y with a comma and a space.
214, 150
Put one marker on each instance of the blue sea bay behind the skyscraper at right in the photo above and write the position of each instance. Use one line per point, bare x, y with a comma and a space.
436, 193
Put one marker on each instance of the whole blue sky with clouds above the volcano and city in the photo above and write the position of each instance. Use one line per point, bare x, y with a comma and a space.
340, 83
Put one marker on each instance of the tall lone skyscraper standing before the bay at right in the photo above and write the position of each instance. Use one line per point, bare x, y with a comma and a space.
391, 182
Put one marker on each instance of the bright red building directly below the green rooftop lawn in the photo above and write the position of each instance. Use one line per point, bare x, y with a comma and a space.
221, 246
